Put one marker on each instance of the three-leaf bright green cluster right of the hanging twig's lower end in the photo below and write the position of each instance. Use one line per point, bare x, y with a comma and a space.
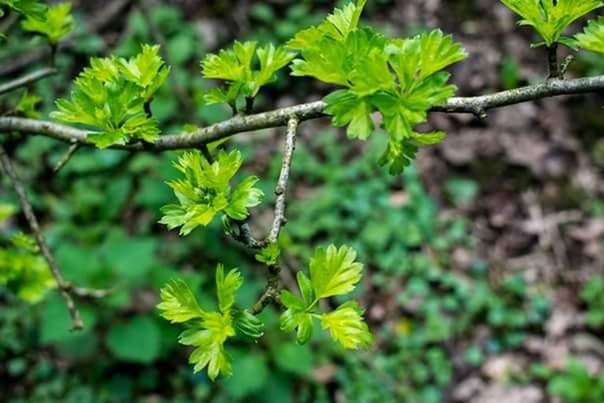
333, 272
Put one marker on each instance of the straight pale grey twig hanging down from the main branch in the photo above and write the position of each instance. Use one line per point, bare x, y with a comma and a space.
290, 144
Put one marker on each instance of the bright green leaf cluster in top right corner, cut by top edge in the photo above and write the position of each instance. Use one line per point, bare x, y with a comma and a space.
551, 17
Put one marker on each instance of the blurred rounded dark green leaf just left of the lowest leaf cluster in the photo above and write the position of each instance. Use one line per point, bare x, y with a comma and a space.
137, 340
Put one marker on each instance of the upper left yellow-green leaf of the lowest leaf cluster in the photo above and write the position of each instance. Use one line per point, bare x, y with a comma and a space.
178, 302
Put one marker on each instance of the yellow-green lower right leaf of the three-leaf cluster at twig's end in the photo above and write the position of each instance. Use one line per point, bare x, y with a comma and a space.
346, 326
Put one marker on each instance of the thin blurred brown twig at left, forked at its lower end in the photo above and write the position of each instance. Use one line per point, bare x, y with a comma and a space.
65, 288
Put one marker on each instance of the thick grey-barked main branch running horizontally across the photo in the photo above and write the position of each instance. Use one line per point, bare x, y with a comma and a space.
477, 105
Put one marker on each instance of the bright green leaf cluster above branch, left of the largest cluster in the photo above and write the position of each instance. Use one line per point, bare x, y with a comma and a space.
236, 66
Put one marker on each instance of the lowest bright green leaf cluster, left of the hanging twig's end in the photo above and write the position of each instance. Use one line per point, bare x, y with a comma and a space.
208, 331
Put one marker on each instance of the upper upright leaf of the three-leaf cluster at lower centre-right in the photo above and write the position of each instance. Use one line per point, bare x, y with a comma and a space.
334, 271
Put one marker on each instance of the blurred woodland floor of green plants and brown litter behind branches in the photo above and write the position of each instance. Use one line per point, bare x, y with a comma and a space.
484, 261
